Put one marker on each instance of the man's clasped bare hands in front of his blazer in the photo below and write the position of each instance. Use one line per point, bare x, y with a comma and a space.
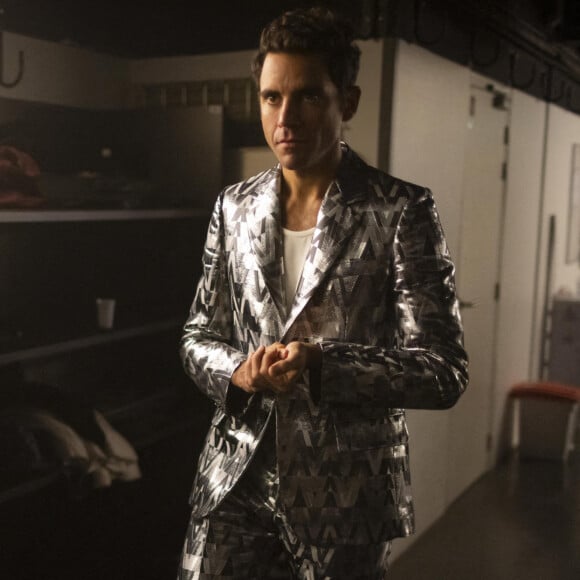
276, 367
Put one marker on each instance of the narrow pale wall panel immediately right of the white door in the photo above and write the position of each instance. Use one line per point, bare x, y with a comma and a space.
519, 256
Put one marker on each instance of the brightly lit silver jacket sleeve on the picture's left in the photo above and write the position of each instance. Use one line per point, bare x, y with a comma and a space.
206, 351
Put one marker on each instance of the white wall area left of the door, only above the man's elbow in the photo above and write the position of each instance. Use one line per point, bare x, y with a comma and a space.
430, 106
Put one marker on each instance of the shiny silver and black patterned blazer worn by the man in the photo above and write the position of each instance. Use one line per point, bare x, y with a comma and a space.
377, 293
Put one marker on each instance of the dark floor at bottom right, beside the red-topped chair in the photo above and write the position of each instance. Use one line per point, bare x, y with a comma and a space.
519, 522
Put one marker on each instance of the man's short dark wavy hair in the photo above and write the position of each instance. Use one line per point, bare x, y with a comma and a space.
314, 30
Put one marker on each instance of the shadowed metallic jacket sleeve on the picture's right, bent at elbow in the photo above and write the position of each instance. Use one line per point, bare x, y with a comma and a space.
427, 367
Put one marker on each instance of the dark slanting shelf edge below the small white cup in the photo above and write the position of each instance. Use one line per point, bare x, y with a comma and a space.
87, 341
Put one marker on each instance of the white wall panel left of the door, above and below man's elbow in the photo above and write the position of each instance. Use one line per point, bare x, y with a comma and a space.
430, 107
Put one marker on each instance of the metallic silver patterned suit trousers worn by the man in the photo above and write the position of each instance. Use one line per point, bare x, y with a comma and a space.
248, 537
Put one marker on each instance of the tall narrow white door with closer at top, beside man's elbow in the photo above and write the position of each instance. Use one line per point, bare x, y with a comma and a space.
477, 279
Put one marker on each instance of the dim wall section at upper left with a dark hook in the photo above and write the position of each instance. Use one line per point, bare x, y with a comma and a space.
60, 74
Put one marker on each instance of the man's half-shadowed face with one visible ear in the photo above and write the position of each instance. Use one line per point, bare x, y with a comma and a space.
302, 112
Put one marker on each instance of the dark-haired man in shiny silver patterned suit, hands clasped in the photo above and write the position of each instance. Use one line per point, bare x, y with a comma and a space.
326, 306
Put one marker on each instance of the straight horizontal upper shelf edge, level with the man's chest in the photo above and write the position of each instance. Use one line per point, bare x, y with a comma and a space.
86, 215
